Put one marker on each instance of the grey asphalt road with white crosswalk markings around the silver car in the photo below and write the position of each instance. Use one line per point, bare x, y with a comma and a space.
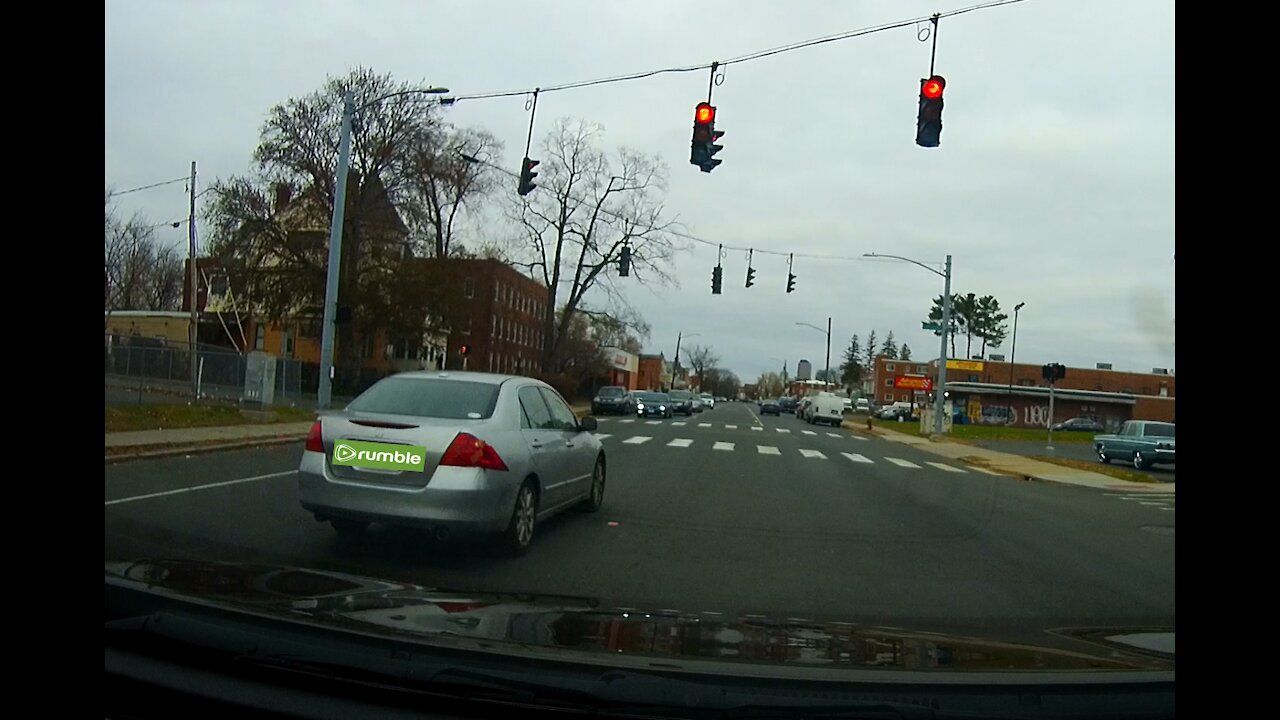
724, 513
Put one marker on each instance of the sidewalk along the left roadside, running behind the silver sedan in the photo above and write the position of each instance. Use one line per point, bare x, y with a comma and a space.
185, 441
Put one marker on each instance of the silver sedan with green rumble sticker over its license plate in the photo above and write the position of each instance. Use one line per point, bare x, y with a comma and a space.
452, 453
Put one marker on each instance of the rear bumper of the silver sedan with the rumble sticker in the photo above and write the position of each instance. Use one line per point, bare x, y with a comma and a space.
463, 500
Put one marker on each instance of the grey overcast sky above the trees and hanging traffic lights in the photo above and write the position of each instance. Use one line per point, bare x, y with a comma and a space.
1054, 185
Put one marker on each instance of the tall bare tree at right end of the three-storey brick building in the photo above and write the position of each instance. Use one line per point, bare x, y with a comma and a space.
573, 229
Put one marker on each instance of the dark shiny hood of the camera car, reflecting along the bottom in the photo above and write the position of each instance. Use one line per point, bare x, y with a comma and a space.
579, 627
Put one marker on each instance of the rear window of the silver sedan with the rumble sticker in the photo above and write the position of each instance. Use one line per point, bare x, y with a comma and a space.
429, 398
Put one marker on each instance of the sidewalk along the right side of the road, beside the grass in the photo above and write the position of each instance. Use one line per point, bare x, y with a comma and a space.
1009, 464
